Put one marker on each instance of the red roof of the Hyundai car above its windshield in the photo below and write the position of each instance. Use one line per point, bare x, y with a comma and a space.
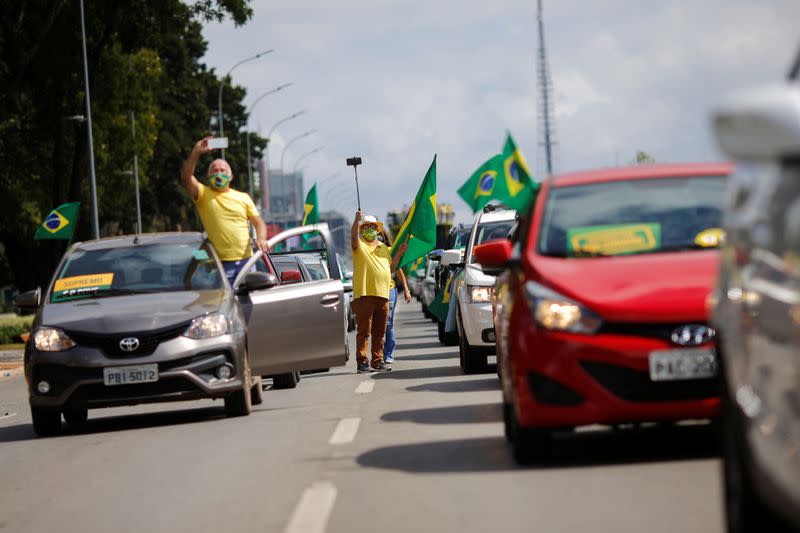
641, 172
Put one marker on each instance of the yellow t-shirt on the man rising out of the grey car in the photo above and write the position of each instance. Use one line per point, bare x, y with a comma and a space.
225, 218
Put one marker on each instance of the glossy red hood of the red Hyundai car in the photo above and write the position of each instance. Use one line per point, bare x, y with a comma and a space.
661, 287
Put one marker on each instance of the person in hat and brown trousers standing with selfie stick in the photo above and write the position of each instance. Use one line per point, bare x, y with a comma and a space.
372, 277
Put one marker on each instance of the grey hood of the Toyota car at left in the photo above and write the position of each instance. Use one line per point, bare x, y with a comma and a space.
139, 312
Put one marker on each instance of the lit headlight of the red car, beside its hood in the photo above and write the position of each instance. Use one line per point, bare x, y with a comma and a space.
556, 312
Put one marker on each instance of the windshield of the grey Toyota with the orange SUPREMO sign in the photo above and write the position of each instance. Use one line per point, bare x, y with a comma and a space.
135, 270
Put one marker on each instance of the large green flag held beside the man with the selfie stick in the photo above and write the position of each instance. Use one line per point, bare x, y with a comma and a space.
420, 223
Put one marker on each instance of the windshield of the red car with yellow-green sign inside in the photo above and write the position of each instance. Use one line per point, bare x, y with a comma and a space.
633, 217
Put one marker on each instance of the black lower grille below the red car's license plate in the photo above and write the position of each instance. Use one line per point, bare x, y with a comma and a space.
636, 386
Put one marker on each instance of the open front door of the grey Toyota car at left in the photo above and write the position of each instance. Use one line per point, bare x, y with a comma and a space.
298, 326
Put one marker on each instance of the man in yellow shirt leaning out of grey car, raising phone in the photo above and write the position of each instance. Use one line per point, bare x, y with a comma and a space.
225, 212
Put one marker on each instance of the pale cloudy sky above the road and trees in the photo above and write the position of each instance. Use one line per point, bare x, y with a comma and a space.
397, 81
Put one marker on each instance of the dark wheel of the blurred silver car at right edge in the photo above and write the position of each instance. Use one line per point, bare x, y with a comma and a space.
744, 508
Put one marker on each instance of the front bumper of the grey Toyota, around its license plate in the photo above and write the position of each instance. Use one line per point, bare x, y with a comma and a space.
185, 372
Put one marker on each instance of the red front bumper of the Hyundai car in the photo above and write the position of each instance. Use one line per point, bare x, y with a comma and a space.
563, 379
